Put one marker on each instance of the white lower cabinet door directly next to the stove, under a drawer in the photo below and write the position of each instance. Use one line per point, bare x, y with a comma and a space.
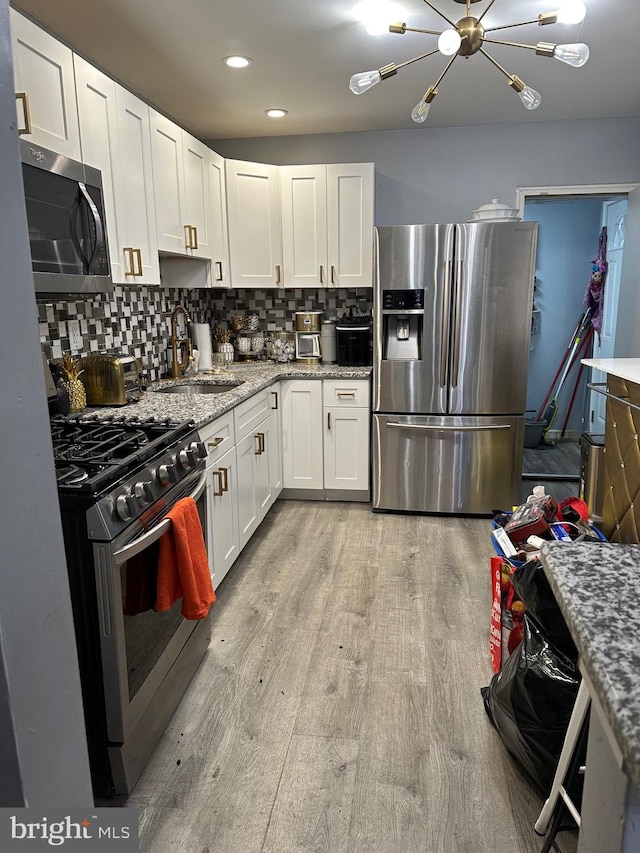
222, 507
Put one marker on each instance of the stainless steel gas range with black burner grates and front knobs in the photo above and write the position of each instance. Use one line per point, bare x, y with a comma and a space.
117, 479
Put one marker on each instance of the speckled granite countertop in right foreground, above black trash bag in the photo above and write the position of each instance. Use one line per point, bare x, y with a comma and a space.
597, 587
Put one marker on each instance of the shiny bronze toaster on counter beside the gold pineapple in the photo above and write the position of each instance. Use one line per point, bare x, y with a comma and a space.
111, 380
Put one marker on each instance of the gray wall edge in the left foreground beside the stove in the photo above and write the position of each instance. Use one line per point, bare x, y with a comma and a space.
43, 757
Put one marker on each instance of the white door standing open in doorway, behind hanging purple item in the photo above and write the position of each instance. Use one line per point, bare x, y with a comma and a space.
614, 217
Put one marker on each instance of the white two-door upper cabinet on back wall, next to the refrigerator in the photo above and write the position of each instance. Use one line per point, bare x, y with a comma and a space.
327, 225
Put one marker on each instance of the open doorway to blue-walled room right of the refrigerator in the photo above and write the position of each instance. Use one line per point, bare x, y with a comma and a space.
571, 219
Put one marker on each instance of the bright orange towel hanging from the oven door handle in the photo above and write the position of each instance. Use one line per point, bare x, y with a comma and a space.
183, 566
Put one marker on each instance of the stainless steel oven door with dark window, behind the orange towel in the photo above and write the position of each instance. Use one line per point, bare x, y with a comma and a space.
139, 650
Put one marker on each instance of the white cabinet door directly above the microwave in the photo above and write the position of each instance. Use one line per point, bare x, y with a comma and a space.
45, 88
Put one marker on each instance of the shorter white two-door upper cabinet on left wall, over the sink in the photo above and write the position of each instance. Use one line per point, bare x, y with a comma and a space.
181, 181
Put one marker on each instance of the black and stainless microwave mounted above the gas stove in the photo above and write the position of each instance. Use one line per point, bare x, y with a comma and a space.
65, 215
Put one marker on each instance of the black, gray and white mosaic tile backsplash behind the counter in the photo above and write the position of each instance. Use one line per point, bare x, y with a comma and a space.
136, 320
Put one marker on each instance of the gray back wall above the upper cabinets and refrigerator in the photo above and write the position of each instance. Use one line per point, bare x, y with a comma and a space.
442, 174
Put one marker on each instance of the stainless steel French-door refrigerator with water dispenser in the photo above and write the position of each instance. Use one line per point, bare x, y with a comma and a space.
452, 325
